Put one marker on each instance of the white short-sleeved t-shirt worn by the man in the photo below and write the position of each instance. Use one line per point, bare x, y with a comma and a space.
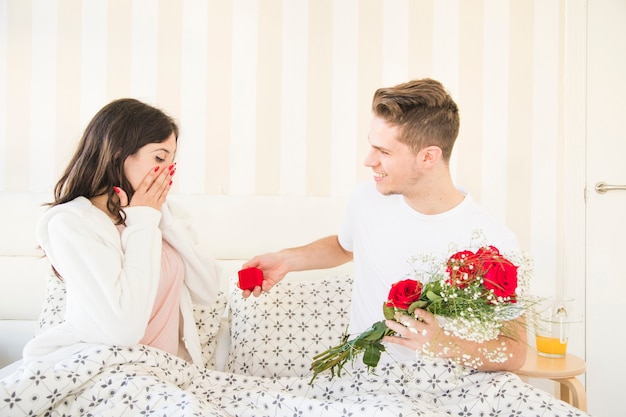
385, 233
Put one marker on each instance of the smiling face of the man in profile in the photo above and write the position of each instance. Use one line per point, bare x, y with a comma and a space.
395, 167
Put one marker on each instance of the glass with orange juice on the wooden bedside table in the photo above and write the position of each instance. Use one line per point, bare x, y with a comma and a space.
551, 325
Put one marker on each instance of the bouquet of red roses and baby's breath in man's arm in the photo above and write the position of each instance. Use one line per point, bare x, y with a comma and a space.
473, 292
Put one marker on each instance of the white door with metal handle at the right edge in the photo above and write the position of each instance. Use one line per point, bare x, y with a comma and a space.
606, 213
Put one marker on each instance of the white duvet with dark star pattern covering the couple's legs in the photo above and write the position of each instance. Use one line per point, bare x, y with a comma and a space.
142, 381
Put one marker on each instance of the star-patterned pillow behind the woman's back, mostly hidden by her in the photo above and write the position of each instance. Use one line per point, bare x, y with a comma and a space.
207, 317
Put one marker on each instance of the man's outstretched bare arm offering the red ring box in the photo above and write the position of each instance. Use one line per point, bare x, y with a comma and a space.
320, 254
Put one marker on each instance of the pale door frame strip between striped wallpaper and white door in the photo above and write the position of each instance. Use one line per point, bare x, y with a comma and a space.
571, 279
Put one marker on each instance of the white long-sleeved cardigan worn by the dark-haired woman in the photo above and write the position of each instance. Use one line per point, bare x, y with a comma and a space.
111, 282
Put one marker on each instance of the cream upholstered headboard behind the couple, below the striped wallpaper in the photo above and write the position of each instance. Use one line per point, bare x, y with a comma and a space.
232, 228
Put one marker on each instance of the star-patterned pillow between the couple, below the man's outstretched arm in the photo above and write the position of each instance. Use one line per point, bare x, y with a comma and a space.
278, 333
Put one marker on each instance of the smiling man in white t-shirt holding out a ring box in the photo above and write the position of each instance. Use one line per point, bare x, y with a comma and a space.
411, 207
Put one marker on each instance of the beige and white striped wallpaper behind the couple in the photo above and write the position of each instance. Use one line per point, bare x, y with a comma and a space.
273, 96
